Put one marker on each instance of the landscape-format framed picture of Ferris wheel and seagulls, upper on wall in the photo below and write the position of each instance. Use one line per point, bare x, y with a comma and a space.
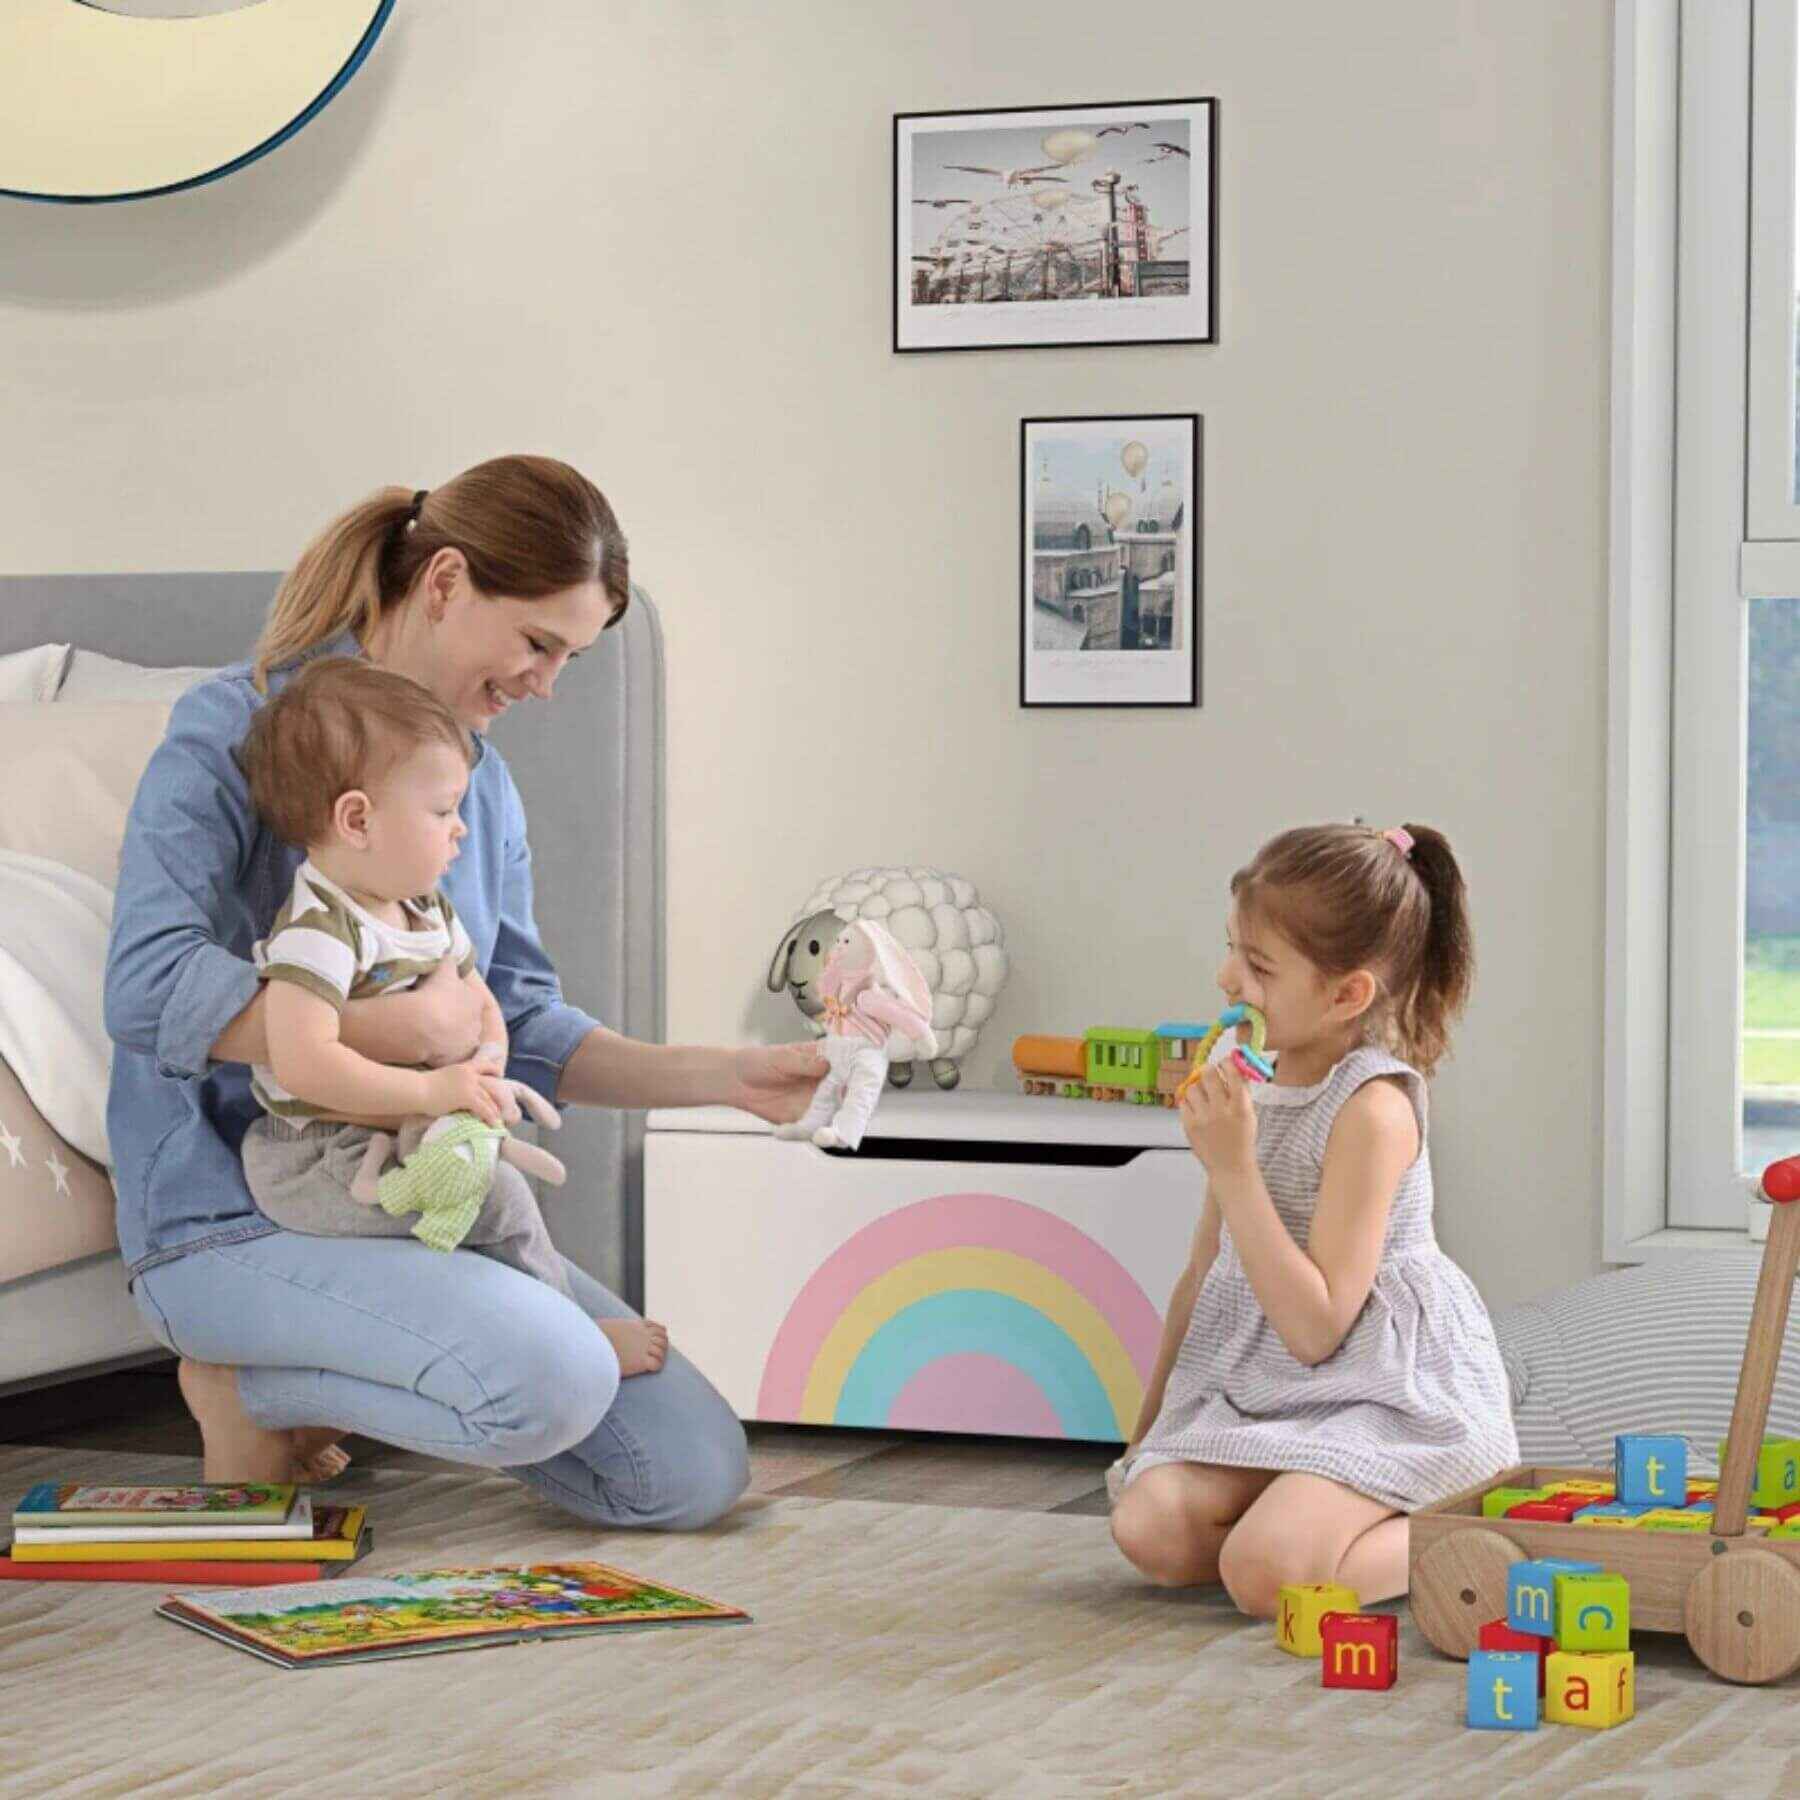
1057, 226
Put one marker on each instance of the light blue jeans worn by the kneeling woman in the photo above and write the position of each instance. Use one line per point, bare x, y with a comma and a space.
456, 1356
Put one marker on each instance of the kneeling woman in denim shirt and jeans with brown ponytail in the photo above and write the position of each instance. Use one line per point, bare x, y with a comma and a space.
481, 591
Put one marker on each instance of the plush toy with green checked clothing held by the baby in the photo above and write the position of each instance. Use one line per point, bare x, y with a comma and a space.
447, 1167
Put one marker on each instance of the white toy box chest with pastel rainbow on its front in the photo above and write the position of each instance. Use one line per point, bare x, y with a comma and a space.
985, 1263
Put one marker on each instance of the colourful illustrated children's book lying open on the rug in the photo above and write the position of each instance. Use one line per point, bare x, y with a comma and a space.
438, 1610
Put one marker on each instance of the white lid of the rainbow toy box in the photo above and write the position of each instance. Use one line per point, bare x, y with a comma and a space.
973, 1117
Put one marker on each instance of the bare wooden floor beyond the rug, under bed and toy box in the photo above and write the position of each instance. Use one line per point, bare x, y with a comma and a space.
141, 1412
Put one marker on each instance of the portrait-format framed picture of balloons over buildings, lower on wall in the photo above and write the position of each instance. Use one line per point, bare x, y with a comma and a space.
1110, 589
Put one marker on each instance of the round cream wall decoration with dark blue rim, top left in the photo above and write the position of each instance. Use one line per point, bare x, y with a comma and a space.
121, 100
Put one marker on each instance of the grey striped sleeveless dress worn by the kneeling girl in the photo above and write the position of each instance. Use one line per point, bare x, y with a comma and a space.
1414, 1403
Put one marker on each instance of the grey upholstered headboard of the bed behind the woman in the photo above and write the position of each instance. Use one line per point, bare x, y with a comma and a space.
589, 768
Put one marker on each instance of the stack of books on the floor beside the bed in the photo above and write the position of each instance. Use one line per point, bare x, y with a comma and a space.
204, 1534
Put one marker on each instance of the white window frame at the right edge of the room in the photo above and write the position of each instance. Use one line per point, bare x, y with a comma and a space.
1702, 224
